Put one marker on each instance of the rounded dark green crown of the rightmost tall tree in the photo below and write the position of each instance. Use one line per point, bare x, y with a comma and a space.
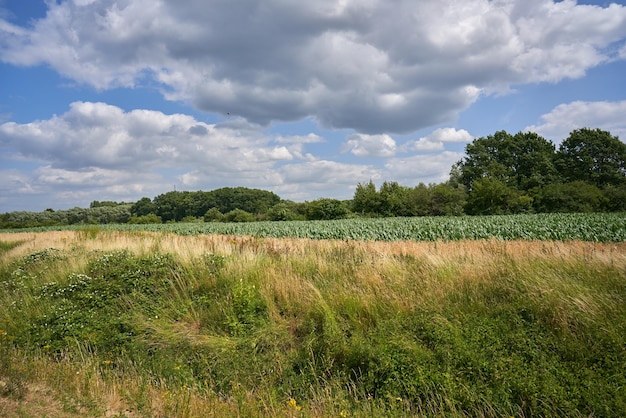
593, 156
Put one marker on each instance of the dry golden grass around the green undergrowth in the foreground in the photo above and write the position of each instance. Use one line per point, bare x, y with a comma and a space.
297, 274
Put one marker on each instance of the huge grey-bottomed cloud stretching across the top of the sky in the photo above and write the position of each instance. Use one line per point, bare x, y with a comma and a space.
373, 66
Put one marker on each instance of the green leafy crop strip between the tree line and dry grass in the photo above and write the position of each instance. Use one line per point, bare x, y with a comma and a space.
598, 227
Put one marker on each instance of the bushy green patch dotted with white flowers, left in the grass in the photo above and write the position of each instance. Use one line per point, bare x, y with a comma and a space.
91, 307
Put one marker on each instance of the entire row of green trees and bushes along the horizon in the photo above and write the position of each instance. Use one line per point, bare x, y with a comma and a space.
500, 174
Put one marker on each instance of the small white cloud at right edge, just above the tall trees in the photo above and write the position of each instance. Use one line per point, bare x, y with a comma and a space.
560, 121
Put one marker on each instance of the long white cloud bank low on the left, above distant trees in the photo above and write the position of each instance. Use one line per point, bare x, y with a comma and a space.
97, 151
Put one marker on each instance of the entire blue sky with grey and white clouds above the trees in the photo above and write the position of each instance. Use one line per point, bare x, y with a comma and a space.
121, 99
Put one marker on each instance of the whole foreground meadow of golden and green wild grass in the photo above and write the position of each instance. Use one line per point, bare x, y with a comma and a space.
110, 323
